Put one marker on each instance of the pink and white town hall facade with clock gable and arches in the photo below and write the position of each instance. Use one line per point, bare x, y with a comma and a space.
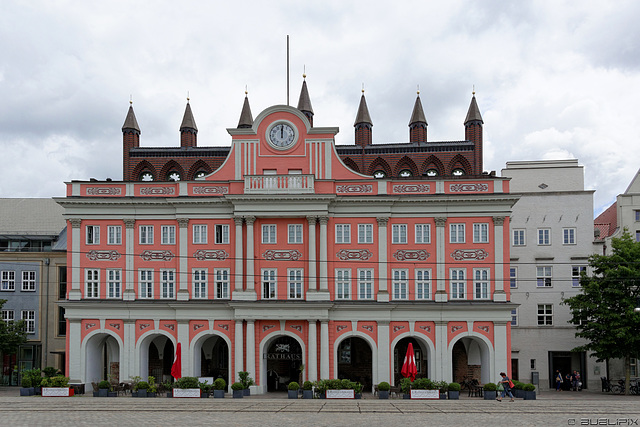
289, 265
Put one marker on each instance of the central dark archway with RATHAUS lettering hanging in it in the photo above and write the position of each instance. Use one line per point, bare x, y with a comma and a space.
284, 358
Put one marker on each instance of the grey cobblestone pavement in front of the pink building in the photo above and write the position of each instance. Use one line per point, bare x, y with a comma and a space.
550, 409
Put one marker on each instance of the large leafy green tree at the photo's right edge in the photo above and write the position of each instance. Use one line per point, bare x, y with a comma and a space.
604, 312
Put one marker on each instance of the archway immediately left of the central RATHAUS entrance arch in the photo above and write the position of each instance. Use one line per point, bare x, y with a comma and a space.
212, 357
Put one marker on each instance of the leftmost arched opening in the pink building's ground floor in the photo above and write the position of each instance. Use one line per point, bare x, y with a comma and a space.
102, 352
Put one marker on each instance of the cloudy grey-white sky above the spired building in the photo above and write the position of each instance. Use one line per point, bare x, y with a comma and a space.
553, 79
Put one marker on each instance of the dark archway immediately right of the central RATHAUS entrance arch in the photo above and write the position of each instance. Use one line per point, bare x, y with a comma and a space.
355, 361
